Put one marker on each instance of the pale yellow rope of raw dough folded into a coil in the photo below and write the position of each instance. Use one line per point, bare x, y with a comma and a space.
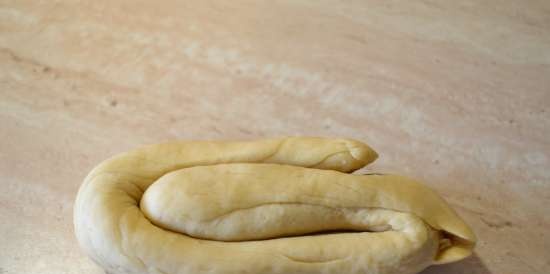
271, 206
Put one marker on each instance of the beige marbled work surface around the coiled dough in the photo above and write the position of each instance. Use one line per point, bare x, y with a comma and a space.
454, 94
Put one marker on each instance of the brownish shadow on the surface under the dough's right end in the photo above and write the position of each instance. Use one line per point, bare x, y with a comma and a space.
471, 265
